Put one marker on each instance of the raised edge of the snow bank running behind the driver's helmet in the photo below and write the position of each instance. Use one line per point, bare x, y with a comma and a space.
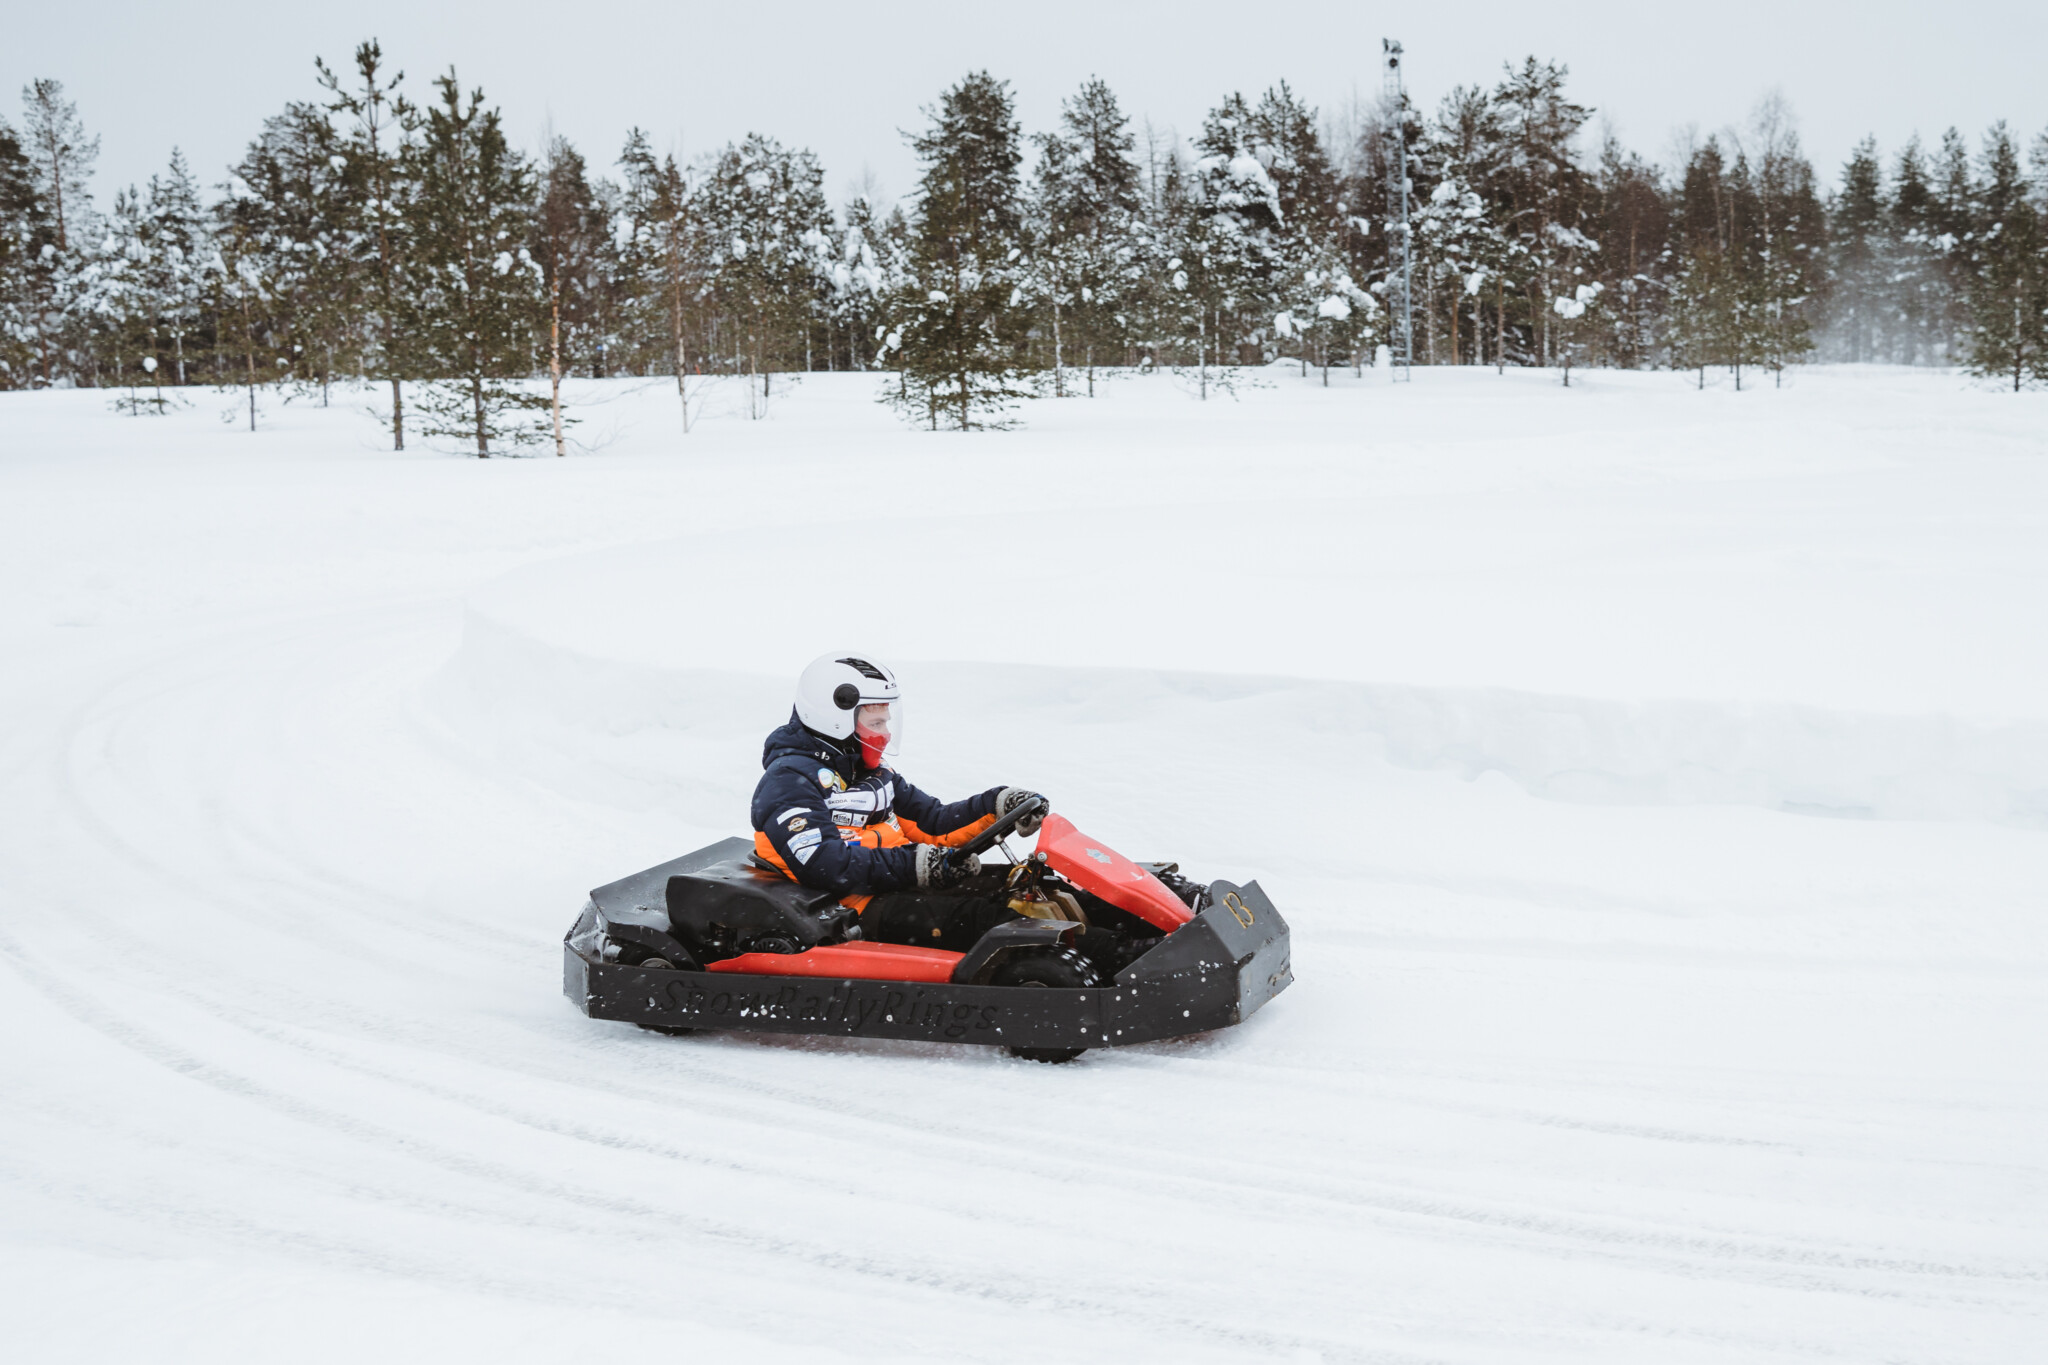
652, 730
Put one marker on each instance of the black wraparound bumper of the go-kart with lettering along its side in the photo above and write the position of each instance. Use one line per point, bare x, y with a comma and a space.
1207, 975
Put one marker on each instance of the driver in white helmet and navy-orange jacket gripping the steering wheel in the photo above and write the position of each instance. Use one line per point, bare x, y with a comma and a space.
833, 816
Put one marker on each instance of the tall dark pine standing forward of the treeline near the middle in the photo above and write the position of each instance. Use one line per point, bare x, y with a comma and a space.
955, 324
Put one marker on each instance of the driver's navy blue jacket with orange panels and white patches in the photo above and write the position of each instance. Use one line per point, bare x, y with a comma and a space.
851, 830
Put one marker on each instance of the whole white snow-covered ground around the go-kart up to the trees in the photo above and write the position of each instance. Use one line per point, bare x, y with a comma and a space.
1656, 781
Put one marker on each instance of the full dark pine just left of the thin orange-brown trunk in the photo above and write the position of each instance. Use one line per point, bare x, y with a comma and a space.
474, 312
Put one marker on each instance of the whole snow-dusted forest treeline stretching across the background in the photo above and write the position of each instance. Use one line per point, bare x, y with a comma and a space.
378, 236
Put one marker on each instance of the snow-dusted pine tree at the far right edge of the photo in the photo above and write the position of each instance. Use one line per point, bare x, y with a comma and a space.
2010, 290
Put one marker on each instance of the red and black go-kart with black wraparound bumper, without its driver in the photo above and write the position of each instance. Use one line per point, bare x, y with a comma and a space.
718, 940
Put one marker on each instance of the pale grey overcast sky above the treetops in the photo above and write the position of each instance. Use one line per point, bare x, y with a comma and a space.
845, 79
